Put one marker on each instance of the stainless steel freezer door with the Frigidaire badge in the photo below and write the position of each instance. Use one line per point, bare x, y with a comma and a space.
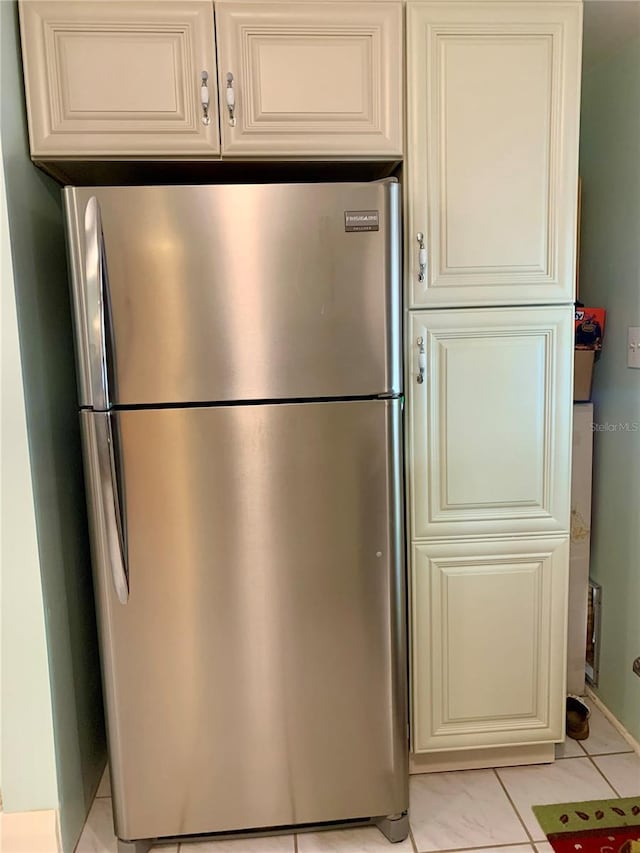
228, 293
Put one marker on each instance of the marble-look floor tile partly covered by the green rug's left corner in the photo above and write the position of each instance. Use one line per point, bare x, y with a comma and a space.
567, 781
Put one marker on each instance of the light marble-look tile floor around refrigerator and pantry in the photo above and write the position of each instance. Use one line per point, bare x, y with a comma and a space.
478, 811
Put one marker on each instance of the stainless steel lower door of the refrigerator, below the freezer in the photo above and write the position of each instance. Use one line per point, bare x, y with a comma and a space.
256, 675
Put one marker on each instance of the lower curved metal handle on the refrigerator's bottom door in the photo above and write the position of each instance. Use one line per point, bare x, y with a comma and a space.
113, 517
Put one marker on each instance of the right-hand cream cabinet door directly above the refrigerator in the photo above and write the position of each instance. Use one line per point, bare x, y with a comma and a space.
310, 79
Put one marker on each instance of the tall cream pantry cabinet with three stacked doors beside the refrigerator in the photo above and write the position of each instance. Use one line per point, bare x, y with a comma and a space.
492, 111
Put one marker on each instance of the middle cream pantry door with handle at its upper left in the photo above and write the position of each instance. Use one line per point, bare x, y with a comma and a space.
490, 437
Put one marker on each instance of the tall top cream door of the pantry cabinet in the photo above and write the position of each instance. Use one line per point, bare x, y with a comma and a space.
493, 93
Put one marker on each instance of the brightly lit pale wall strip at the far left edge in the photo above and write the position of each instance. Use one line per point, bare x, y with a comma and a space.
27, 752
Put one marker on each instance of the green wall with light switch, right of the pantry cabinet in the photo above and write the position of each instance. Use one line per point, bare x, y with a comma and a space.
610, 276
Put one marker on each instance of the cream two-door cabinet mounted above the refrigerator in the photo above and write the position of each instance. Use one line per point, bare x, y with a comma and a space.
138, 79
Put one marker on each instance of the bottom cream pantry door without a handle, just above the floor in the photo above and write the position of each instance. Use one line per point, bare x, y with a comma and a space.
488, 635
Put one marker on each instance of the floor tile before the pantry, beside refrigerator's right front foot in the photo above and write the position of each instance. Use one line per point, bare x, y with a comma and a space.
466, 808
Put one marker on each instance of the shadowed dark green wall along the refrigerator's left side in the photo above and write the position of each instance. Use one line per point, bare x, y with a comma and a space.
46, 346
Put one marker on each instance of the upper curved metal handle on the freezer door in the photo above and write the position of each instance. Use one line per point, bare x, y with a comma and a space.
96, 292
